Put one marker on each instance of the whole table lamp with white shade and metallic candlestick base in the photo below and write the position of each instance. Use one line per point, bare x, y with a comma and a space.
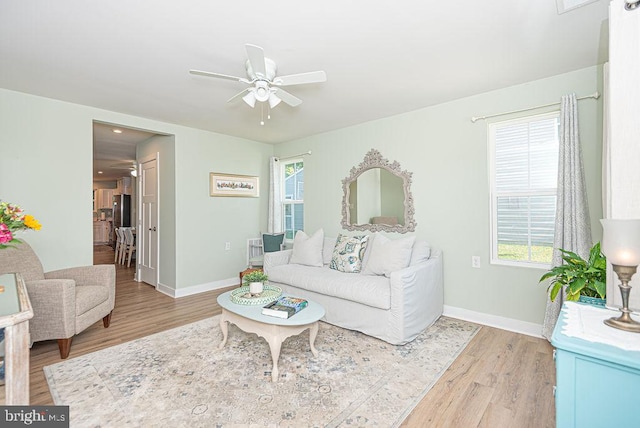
621, 245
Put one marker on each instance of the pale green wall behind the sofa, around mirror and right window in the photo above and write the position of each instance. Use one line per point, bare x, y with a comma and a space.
447, 154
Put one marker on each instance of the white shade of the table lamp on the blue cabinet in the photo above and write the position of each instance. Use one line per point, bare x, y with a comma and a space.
621, 241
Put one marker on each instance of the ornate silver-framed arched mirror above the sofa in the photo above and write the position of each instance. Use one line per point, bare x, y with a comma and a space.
377, 196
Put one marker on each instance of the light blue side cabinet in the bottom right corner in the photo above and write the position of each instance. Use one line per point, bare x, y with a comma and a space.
597, 385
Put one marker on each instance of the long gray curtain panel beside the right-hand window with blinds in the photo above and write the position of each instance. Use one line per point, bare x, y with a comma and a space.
573, 226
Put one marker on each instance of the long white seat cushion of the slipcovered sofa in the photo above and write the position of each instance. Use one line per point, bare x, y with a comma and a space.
372, 291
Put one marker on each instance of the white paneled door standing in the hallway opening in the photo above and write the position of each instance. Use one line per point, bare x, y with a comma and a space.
147, 236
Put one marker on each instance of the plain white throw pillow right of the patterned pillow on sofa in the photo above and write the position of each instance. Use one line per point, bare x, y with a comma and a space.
388, 255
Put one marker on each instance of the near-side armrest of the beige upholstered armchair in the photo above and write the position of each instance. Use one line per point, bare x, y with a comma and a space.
54, 308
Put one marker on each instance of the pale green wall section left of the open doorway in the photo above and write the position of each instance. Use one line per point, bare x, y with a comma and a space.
45, 166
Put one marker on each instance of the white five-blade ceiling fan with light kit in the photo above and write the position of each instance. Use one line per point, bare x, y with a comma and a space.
265, 86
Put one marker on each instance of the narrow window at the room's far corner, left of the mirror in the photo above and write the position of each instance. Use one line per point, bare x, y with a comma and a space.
293, 200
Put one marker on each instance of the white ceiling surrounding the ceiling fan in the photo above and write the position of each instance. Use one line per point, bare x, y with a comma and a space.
381, 58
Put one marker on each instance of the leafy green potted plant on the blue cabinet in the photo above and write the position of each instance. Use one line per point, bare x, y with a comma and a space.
586, 278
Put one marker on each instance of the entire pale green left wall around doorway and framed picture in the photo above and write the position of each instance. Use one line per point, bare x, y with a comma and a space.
46, 166
